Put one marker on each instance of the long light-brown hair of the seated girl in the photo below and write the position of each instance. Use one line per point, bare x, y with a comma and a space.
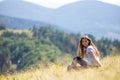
81, 49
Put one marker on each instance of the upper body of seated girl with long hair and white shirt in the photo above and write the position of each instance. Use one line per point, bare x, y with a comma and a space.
88, 51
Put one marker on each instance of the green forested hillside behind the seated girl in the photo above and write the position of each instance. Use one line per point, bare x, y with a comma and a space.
21, 49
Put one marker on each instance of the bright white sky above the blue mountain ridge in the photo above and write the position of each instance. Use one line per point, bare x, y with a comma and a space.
58, 3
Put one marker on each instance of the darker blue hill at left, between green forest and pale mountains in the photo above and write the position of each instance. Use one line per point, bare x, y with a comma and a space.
18, 23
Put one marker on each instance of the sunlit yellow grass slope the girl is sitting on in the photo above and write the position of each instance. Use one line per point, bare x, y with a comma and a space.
109, 71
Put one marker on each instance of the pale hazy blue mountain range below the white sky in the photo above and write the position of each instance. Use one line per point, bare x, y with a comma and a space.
93, 17
